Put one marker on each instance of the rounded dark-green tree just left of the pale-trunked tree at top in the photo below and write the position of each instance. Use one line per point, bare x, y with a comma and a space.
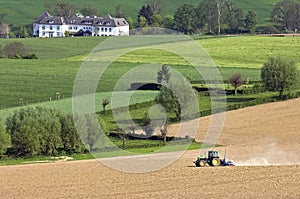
184, 18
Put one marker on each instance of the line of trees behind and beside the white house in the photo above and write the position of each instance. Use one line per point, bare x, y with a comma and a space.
208, 17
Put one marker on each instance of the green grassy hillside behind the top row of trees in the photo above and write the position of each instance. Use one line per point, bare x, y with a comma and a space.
24, 12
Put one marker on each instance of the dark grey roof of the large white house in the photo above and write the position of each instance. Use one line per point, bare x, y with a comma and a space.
79, 19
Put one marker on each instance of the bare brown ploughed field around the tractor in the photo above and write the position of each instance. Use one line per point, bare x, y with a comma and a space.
261, 135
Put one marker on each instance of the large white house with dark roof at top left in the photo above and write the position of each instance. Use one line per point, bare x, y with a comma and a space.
53, 26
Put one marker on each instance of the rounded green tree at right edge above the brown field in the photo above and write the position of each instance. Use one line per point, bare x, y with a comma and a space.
279, 74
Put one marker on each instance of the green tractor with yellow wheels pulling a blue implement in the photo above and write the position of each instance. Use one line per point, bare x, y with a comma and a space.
212, 159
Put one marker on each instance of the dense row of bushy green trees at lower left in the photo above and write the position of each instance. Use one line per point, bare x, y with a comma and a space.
33, 131
